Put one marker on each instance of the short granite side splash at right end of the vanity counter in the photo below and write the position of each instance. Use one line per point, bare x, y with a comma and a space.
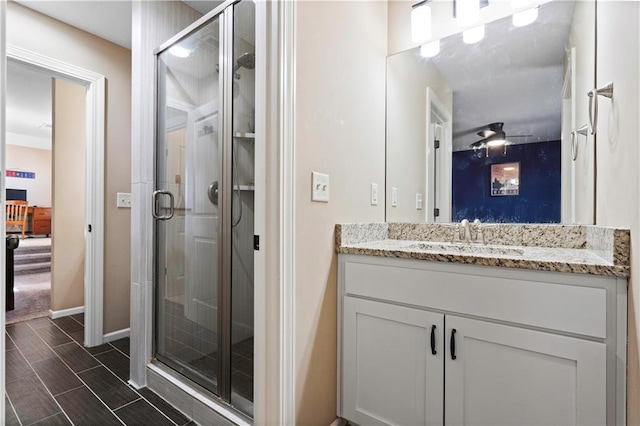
611, 244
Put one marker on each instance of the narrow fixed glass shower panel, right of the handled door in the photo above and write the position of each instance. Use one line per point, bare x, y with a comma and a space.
243, 167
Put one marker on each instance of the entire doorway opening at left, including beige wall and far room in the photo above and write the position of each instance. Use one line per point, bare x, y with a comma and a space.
49, 178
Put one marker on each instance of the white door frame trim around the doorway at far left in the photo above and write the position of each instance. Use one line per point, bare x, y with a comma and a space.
94, 178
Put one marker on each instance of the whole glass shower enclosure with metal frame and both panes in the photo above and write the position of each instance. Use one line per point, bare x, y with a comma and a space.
203, 204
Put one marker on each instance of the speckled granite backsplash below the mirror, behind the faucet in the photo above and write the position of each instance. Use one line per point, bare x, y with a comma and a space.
561, 236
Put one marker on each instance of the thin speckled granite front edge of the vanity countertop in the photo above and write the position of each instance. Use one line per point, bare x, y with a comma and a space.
552, 266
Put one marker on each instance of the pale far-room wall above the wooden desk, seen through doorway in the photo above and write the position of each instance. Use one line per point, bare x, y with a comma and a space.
31, 160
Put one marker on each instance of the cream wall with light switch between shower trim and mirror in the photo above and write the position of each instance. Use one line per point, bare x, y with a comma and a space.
339, 121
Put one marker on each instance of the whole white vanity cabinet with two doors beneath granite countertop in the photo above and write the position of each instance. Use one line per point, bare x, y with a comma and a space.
439, 343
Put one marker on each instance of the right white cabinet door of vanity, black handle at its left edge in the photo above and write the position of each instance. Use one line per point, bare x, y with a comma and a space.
504, 375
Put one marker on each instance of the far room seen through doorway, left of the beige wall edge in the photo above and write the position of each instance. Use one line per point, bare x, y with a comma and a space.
28, 179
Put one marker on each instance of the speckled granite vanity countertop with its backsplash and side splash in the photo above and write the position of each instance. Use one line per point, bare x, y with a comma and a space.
612, 245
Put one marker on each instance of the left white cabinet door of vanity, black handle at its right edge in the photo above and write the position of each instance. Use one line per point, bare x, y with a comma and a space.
390, 374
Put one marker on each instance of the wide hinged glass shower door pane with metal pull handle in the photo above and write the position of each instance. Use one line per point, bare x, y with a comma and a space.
186, 206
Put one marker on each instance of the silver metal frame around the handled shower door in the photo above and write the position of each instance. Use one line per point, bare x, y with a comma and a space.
222, 389
